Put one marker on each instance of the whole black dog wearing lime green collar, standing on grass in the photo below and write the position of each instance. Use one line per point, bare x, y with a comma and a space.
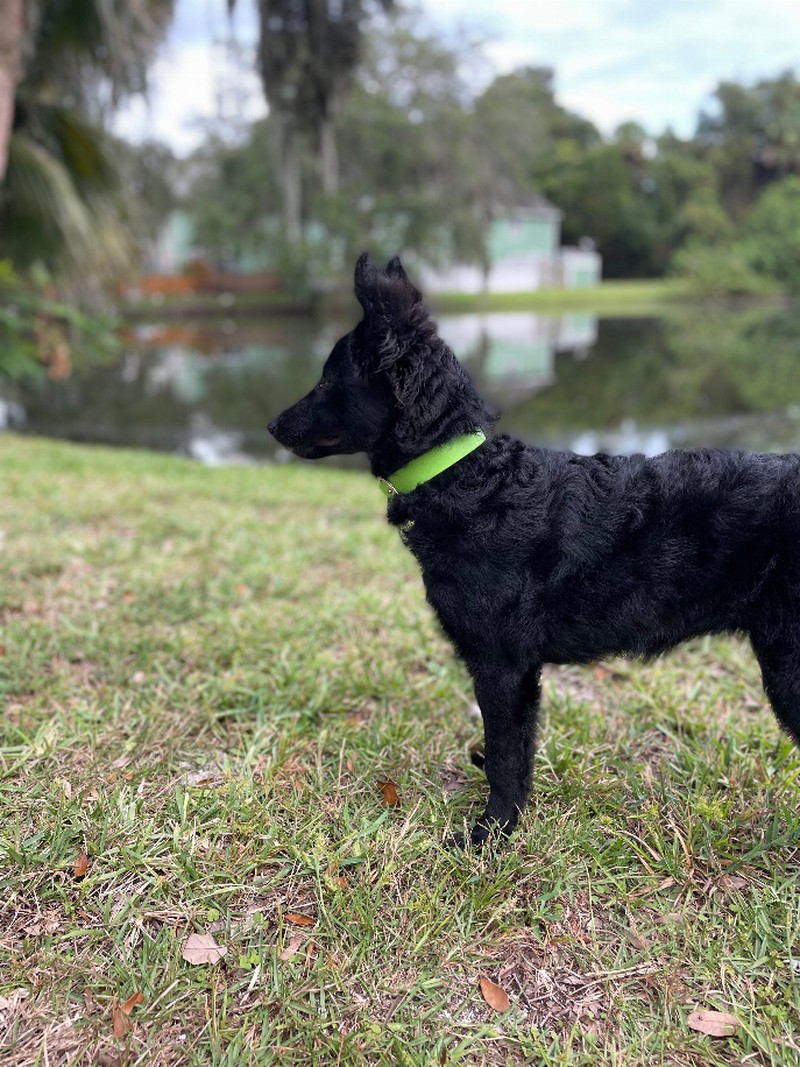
532, 556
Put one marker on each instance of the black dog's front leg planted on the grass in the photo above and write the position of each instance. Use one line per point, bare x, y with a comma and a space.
509, 704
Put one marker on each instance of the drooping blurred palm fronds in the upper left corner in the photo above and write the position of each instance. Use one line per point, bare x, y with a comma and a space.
59, 202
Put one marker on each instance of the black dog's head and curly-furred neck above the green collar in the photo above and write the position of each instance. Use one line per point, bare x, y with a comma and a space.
390, 377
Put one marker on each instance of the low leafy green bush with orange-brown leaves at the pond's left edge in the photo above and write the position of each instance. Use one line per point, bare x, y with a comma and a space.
42, 333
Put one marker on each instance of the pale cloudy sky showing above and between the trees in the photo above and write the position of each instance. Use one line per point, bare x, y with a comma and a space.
655, 62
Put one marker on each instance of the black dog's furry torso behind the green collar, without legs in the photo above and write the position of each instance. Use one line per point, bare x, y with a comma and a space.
572, 559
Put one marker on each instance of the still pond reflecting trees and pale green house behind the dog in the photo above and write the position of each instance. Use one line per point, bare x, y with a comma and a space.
694, 377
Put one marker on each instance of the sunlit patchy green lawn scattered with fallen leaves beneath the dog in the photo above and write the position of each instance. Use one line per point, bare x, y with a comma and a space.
205, 676
